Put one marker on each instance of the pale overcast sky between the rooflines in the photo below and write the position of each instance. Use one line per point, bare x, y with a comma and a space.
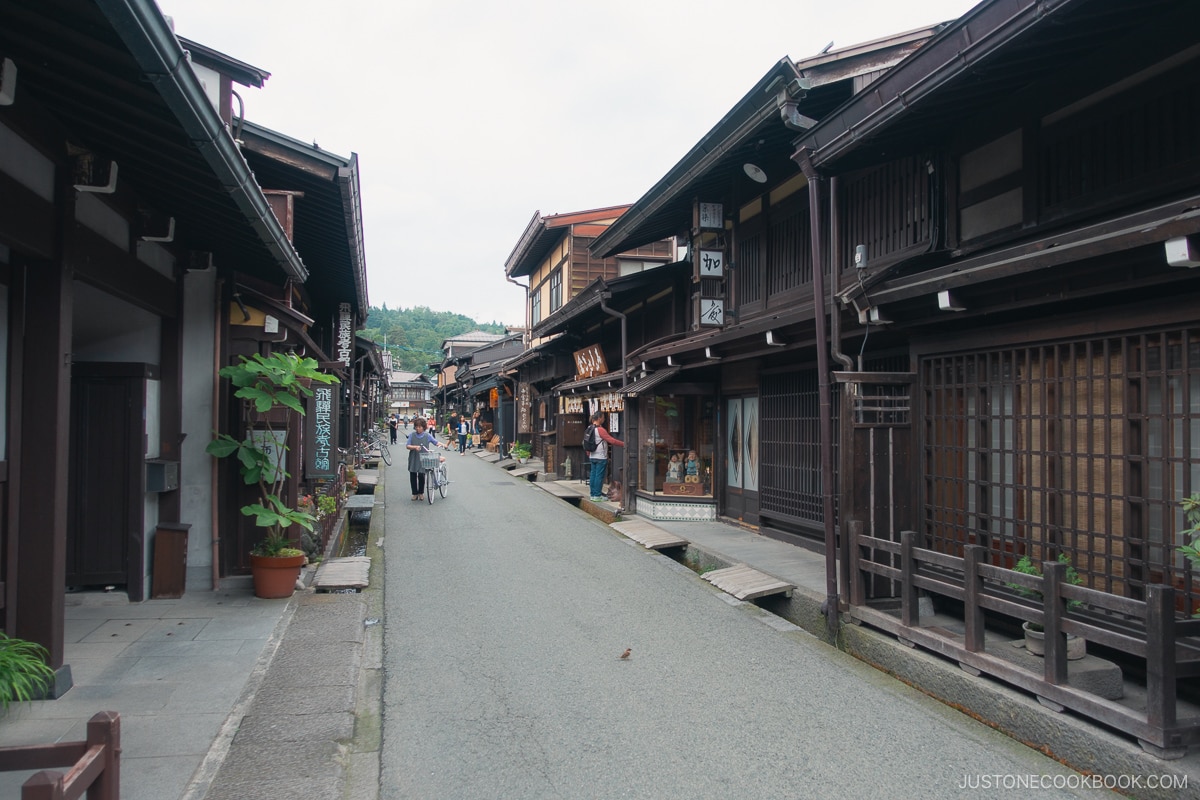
471, 116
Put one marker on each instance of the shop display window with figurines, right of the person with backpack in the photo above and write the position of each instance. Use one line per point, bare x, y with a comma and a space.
677, 446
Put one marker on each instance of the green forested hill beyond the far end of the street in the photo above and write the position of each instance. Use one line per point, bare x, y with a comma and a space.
415, 336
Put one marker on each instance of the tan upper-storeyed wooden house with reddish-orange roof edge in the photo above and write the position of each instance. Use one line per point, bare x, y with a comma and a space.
554, 255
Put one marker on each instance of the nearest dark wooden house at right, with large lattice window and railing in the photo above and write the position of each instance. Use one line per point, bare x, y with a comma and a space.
1006, 227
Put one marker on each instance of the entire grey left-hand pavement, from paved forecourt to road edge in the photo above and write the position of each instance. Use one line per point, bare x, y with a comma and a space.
224, 695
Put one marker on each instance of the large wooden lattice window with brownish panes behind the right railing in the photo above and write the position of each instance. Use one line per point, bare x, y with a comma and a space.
1083, 448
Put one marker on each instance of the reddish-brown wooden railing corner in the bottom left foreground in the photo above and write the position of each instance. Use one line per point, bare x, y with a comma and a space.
95, 765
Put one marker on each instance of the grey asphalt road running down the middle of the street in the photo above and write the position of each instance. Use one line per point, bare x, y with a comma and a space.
507, 611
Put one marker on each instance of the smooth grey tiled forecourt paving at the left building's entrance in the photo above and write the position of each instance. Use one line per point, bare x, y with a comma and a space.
175, 670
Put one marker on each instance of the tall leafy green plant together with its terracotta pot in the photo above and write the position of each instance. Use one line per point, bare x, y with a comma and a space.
273, 388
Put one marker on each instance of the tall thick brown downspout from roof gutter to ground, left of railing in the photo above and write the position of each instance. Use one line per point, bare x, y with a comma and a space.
830, 607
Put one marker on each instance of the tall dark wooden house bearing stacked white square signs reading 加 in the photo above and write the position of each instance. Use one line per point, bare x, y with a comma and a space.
740, 202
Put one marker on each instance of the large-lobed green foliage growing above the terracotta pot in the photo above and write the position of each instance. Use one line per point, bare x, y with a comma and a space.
268, 383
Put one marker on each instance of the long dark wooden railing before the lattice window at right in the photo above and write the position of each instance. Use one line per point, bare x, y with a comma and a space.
1147, 630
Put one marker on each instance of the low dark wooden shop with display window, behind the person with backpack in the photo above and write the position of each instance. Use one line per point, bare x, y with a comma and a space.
599, 330
